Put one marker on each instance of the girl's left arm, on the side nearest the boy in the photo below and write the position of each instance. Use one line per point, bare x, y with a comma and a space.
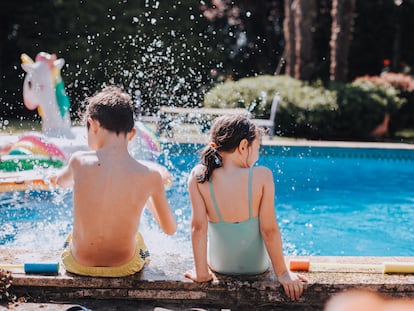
199, 226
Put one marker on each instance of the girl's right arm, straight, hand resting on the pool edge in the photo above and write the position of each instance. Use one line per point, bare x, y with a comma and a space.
292, 283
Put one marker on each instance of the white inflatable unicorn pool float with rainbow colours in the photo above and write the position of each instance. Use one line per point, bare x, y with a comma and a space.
26, 160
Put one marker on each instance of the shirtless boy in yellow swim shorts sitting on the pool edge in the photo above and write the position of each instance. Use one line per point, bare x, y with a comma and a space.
110, 189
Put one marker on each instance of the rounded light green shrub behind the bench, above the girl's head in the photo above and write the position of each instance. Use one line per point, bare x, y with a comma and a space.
297, 100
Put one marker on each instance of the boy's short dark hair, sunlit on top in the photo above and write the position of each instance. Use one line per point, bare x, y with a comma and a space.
113, 108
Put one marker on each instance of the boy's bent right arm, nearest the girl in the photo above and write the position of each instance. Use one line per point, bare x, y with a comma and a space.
159, 207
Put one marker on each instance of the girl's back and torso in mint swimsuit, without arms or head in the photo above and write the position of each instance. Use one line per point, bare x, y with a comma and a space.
235, 243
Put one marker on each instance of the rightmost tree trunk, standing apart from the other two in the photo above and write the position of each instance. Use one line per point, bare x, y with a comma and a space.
341, 37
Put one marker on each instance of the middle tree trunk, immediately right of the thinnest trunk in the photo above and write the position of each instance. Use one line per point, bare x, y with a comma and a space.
305, 15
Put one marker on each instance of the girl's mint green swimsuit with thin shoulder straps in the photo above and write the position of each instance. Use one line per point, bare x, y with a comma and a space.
236, 248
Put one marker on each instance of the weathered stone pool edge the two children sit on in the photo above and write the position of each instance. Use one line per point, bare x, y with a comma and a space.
162, 282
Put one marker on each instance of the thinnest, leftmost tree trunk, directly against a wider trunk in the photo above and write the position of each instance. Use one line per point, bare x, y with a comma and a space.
289, 33
